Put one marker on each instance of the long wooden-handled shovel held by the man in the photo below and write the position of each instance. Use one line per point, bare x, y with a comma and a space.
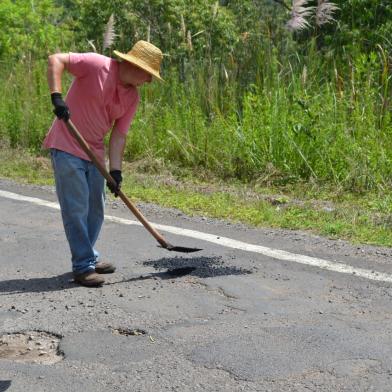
86, 148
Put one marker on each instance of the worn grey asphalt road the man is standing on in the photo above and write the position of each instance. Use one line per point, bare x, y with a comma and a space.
223, 319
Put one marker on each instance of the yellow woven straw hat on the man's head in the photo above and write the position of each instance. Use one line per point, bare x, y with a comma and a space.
145, 56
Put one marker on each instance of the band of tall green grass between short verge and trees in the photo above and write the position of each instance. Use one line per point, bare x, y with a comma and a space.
278, 118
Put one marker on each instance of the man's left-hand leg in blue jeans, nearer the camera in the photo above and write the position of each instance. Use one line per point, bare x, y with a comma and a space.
73, 194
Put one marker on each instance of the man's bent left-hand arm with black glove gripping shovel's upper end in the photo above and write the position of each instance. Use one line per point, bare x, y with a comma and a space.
56, 65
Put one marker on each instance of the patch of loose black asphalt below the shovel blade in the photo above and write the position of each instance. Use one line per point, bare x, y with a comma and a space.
202, 267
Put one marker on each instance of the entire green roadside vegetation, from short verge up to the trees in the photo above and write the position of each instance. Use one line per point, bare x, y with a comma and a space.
272, 113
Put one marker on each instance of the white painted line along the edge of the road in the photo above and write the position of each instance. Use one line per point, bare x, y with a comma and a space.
230, 243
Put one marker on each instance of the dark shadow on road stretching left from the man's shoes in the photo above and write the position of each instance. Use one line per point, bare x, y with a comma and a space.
37, 285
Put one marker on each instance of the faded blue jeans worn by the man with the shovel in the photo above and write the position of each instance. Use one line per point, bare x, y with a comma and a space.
80, 190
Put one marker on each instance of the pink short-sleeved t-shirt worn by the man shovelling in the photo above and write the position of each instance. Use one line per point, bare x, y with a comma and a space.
97, 100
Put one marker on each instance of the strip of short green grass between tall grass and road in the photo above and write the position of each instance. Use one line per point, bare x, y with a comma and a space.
327, 212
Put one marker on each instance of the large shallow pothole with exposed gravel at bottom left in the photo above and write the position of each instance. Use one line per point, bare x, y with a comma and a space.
31, 347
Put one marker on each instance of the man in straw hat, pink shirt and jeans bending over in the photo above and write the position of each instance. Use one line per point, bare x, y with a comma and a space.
103, 97
